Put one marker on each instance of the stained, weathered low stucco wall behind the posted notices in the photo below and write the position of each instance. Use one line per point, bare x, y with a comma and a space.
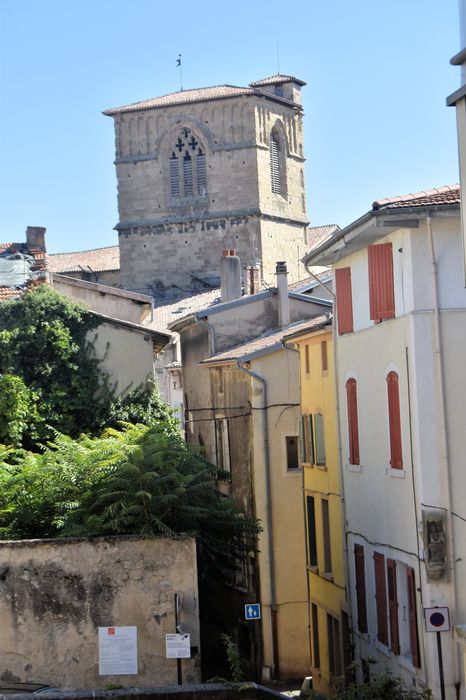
55, 594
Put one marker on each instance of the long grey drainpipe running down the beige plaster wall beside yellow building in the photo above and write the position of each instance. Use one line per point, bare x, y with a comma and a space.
269, 518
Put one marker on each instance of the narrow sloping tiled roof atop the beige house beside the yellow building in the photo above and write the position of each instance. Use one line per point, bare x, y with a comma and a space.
265, 343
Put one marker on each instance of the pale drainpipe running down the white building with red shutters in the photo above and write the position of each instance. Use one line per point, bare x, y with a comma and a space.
438, 352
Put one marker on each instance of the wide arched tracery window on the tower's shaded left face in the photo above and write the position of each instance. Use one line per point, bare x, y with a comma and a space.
188, 176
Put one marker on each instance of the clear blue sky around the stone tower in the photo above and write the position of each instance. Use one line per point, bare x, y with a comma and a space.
375, 124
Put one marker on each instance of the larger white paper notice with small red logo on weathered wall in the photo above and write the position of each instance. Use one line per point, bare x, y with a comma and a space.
118, 651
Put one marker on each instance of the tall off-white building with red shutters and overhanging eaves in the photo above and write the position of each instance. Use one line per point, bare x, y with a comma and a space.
400, 338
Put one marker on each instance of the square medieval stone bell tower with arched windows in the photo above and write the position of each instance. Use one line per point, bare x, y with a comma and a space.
204, 170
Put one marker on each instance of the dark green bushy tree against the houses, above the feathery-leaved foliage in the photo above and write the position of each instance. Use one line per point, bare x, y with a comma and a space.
59, 385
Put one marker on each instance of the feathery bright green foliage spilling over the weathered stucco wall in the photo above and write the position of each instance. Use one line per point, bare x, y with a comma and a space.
136, 480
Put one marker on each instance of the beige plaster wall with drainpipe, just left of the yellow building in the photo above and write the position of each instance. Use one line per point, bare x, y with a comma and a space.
280, 370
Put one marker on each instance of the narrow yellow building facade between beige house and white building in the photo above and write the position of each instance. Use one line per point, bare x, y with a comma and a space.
327, 604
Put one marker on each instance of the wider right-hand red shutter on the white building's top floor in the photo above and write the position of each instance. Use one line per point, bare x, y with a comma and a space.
381, 289
